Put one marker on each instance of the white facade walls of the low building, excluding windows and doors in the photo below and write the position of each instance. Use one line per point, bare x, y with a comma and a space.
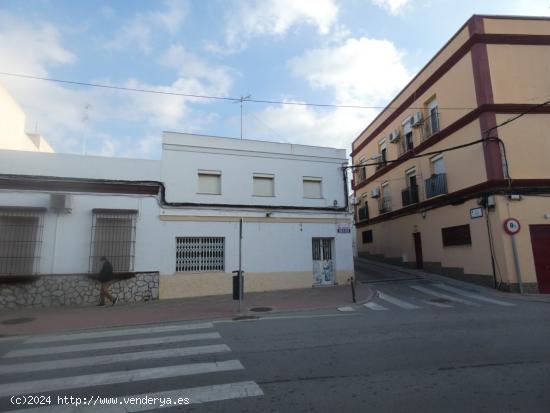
278, 230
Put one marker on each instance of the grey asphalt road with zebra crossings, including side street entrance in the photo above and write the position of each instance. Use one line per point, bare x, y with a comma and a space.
417, 346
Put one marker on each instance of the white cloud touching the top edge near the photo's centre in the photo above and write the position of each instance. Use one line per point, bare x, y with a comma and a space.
274, 18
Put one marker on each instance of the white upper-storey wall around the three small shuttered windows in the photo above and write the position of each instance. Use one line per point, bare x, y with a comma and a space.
183, 155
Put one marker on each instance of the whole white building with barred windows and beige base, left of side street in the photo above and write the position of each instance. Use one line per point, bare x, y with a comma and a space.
180, 216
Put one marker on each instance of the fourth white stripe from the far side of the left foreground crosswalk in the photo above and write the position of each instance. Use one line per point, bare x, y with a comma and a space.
99, 379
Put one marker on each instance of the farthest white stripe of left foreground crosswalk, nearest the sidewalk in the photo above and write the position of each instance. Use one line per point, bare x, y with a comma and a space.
117, 333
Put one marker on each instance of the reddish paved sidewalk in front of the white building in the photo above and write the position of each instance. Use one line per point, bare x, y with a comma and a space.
47, 320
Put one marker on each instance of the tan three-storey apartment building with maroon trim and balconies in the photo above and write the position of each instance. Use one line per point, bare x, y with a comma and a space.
453, 176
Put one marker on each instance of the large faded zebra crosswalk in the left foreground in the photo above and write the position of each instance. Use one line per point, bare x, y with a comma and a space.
62, 362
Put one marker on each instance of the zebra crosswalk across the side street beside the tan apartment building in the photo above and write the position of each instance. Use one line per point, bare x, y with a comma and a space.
415, 296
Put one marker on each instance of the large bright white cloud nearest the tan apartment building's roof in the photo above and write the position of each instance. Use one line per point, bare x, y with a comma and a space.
360, 71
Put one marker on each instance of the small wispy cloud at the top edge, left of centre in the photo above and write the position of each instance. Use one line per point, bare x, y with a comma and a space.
140, 29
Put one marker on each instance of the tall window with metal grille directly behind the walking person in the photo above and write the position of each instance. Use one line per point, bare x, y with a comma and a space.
113, 237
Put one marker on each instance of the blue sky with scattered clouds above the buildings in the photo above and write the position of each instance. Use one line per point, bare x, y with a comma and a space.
336, 52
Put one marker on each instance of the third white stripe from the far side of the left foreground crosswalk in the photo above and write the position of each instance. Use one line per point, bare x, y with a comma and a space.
111, 358
